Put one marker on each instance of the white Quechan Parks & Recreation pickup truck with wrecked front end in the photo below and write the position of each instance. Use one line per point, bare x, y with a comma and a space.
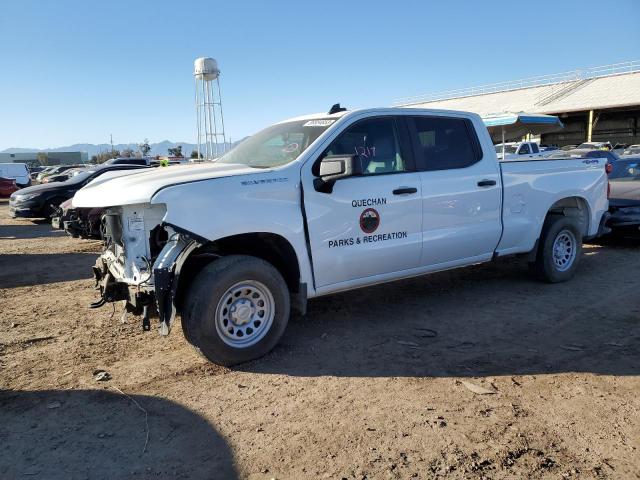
331, 202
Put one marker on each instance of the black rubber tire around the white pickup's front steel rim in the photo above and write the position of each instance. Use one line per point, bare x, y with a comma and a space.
205, 295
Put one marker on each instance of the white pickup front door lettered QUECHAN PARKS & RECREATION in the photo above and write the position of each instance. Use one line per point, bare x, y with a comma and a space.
369, 224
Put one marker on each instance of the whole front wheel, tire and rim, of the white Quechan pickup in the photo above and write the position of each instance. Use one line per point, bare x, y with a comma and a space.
236, 309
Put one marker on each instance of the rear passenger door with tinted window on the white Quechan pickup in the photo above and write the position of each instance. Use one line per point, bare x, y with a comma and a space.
461, 191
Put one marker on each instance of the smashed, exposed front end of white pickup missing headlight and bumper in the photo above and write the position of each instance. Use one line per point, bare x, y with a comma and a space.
141, 262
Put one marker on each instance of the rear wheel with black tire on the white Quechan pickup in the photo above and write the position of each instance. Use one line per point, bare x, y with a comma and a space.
549, 268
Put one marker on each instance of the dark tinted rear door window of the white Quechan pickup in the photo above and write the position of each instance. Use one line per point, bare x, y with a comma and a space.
443, 143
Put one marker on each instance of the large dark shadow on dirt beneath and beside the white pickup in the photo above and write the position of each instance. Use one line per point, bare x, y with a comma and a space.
488, 319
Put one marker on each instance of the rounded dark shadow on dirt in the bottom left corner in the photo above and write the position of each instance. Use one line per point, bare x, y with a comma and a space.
101, 435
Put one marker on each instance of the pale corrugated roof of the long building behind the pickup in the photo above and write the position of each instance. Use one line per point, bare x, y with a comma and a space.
620, 90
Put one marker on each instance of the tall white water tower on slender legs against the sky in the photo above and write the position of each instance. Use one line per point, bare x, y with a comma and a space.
210, 121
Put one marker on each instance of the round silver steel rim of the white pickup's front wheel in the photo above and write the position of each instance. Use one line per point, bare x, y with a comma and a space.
244, 314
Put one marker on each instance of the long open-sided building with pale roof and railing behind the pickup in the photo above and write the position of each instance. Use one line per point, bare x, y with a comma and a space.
595, 104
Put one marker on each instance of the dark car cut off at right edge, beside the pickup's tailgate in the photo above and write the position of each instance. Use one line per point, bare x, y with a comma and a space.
624, 198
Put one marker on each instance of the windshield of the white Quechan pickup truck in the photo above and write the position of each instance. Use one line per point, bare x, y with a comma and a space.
277, 145
